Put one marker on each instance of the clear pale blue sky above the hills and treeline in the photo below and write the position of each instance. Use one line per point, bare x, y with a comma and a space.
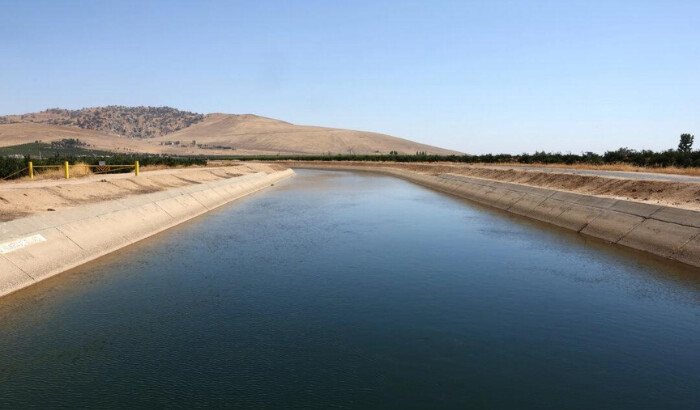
474, 76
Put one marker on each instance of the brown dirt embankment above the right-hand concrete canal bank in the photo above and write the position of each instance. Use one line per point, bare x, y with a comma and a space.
677, 194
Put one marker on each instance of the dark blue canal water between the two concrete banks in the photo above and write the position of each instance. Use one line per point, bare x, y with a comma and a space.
337, 289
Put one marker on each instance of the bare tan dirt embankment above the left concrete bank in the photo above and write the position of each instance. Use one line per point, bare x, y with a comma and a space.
18, 199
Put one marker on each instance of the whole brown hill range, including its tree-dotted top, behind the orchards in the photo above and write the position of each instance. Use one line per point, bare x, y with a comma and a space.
165, 130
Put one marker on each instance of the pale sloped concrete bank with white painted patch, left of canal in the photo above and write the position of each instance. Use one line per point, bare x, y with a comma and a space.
40, 246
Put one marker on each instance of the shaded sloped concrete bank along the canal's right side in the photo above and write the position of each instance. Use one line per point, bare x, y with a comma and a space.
665, 231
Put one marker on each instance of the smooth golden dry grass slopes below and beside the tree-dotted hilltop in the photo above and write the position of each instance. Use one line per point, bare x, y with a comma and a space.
248, 134
